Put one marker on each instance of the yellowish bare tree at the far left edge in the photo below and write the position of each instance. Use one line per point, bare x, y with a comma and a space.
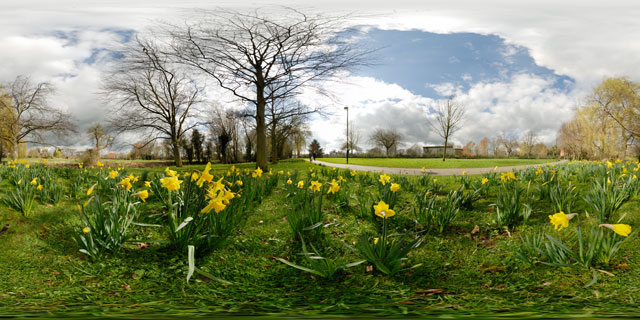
26, 114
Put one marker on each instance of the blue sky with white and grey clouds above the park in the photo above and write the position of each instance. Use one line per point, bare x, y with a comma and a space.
515, 65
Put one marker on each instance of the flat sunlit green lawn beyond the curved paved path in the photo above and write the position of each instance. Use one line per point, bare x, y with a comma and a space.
434, 163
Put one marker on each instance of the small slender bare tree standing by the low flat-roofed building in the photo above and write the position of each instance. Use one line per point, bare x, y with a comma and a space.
448, 120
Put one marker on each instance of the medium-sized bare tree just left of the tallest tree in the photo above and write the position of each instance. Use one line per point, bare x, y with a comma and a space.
152, 95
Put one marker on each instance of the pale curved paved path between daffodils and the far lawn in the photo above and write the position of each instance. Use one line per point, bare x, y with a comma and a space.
435, 172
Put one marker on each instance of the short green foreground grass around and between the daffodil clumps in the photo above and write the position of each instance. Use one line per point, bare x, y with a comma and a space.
461, 274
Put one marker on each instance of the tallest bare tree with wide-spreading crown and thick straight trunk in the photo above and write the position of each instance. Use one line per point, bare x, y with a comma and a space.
261, 58
